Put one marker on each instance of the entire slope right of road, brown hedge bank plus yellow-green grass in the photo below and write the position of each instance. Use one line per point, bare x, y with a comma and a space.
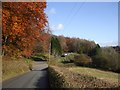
80, 77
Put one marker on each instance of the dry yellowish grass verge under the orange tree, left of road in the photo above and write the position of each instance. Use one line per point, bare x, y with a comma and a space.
12, 68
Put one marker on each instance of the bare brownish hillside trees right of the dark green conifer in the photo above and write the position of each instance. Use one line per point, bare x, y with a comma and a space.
76, 45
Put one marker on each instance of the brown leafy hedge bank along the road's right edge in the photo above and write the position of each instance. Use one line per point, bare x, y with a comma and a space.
61, 77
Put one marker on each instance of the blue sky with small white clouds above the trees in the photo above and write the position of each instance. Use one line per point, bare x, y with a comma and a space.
94, 21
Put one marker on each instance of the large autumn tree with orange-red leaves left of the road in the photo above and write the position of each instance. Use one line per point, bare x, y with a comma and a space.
23, 25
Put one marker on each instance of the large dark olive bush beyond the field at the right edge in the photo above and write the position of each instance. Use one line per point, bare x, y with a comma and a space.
107, 59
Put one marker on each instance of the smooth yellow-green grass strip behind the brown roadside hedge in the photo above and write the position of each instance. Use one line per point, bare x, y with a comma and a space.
104, 75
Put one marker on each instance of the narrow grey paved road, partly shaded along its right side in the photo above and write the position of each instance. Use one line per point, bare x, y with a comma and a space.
37, 78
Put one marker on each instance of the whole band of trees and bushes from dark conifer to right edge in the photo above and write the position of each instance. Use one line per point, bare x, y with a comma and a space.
88, 53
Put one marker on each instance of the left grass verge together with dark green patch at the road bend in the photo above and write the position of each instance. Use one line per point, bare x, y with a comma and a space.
12, 66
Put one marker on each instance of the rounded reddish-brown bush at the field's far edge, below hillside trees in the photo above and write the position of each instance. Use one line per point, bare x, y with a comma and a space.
82, 60
